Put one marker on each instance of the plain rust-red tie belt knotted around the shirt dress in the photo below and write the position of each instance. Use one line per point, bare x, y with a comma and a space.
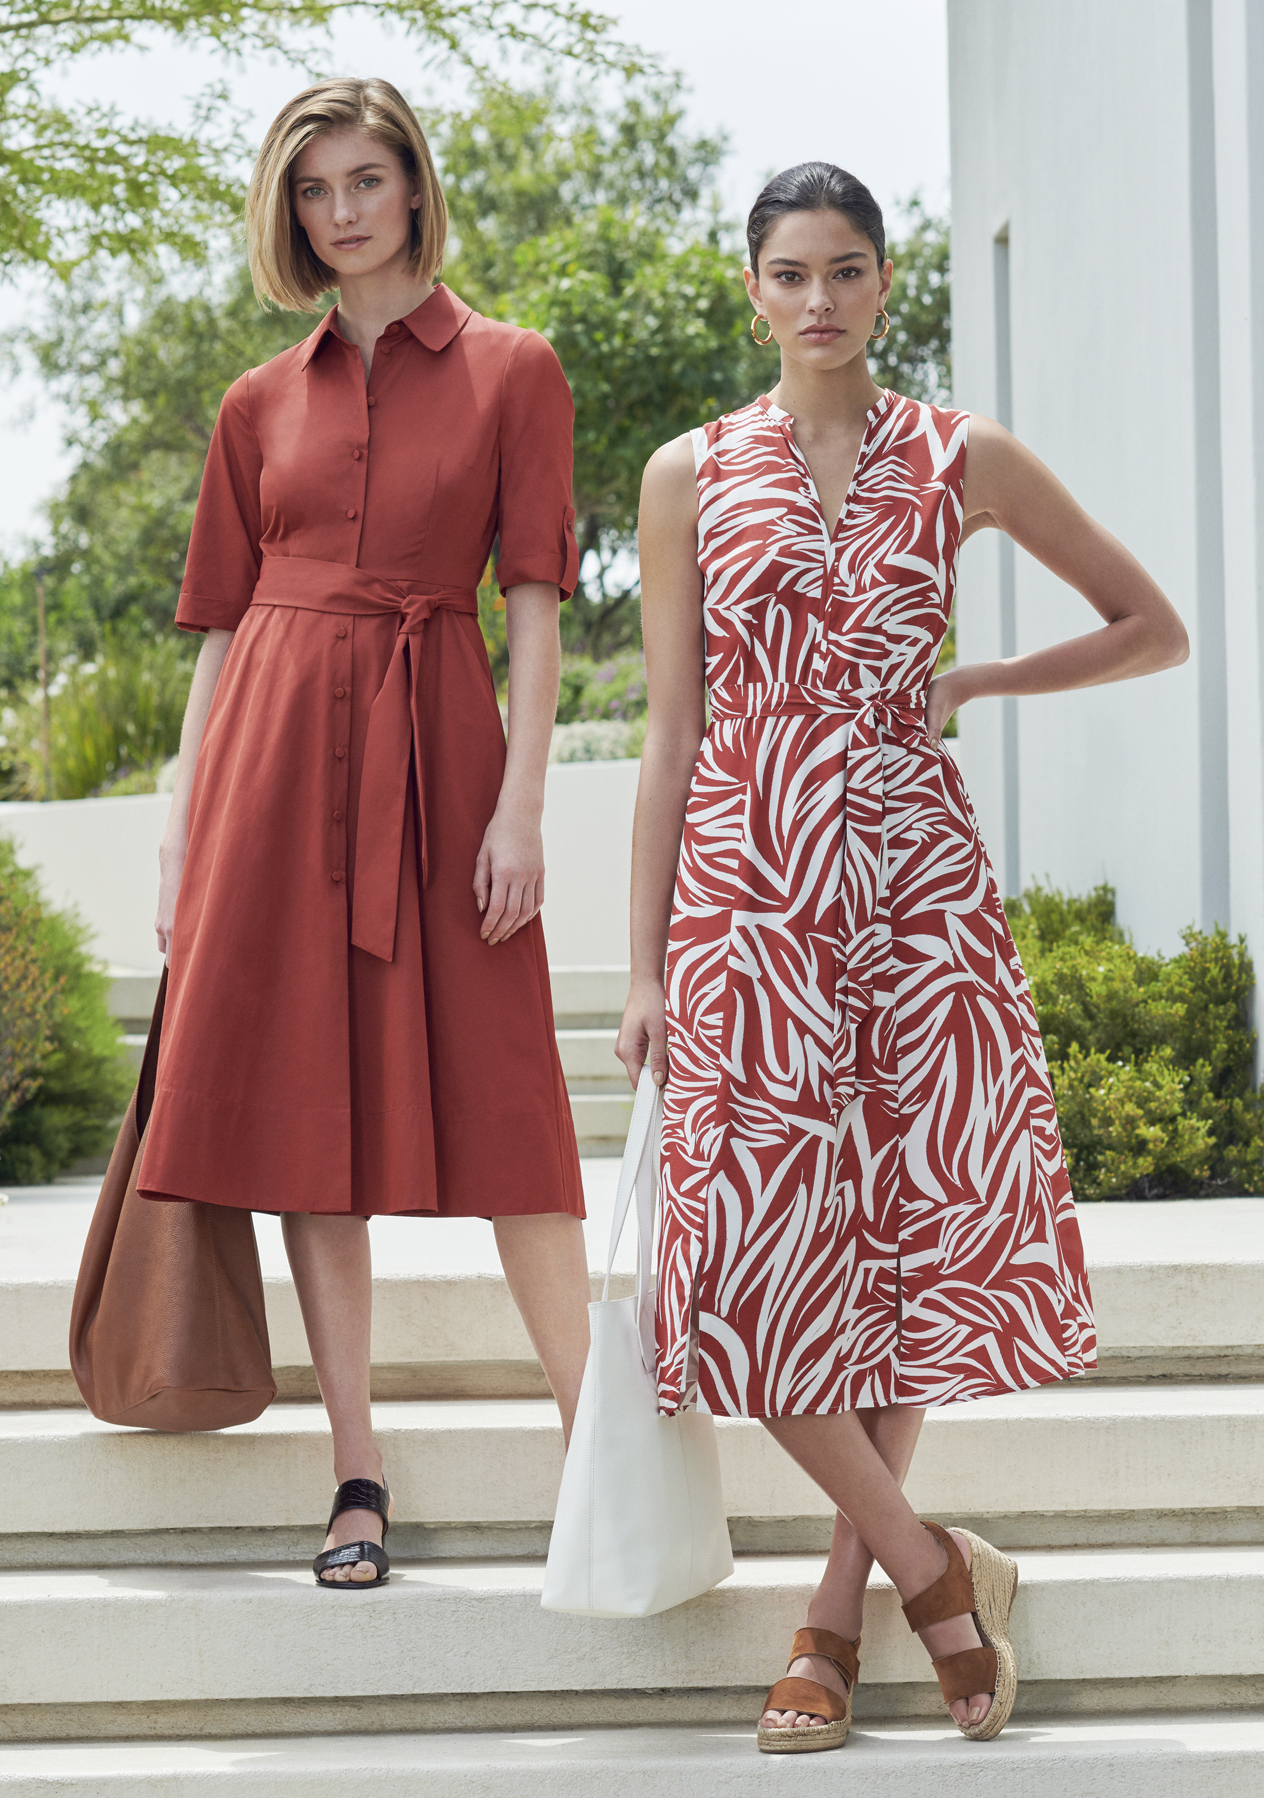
395, 720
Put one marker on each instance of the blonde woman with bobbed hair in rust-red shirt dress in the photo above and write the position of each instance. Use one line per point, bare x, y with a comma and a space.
359, 1015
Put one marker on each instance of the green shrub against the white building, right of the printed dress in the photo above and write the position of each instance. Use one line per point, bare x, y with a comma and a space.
1152, 1058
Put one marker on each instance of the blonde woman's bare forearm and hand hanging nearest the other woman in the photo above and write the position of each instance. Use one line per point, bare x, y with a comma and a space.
510, 873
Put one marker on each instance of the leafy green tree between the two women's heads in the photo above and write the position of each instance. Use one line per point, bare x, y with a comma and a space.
600, 227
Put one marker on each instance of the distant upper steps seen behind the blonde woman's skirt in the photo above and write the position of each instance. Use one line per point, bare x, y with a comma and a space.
589, 1004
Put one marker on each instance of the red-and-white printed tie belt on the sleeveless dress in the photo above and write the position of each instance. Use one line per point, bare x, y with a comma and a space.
866, 974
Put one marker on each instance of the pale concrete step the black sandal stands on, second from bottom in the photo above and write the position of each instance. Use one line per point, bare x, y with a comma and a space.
467, 1644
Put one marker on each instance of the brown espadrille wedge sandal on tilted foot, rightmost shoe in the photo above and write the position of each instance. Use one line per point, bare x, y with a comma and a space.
986, 1589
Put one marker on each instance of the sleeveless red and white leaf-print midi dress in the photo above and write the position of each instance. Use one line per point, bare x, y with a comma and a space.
864, 1193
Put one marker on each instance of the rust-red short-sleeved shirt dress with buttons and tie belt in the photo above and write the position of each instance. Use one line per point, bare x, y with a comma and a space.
337, 1035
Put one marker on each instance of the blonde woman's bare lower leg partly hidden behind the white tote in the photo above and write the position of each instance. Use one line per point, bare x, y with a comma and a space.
547, 1270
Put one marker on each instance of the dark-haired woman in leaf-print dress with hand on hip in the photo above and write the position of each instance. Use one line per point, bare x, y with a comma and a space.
866, 1204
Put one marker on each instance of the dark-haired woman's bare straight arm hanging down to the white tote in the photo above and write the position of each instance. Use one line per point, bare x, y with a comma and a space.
672, 601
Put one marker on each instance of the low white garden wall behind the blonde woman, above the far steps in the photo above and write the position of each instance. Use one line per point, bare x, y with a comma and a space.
102, 855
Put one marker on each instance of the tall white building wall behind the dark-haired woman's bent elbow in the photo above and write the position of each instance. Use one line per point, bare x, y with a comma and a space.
1090, 134
